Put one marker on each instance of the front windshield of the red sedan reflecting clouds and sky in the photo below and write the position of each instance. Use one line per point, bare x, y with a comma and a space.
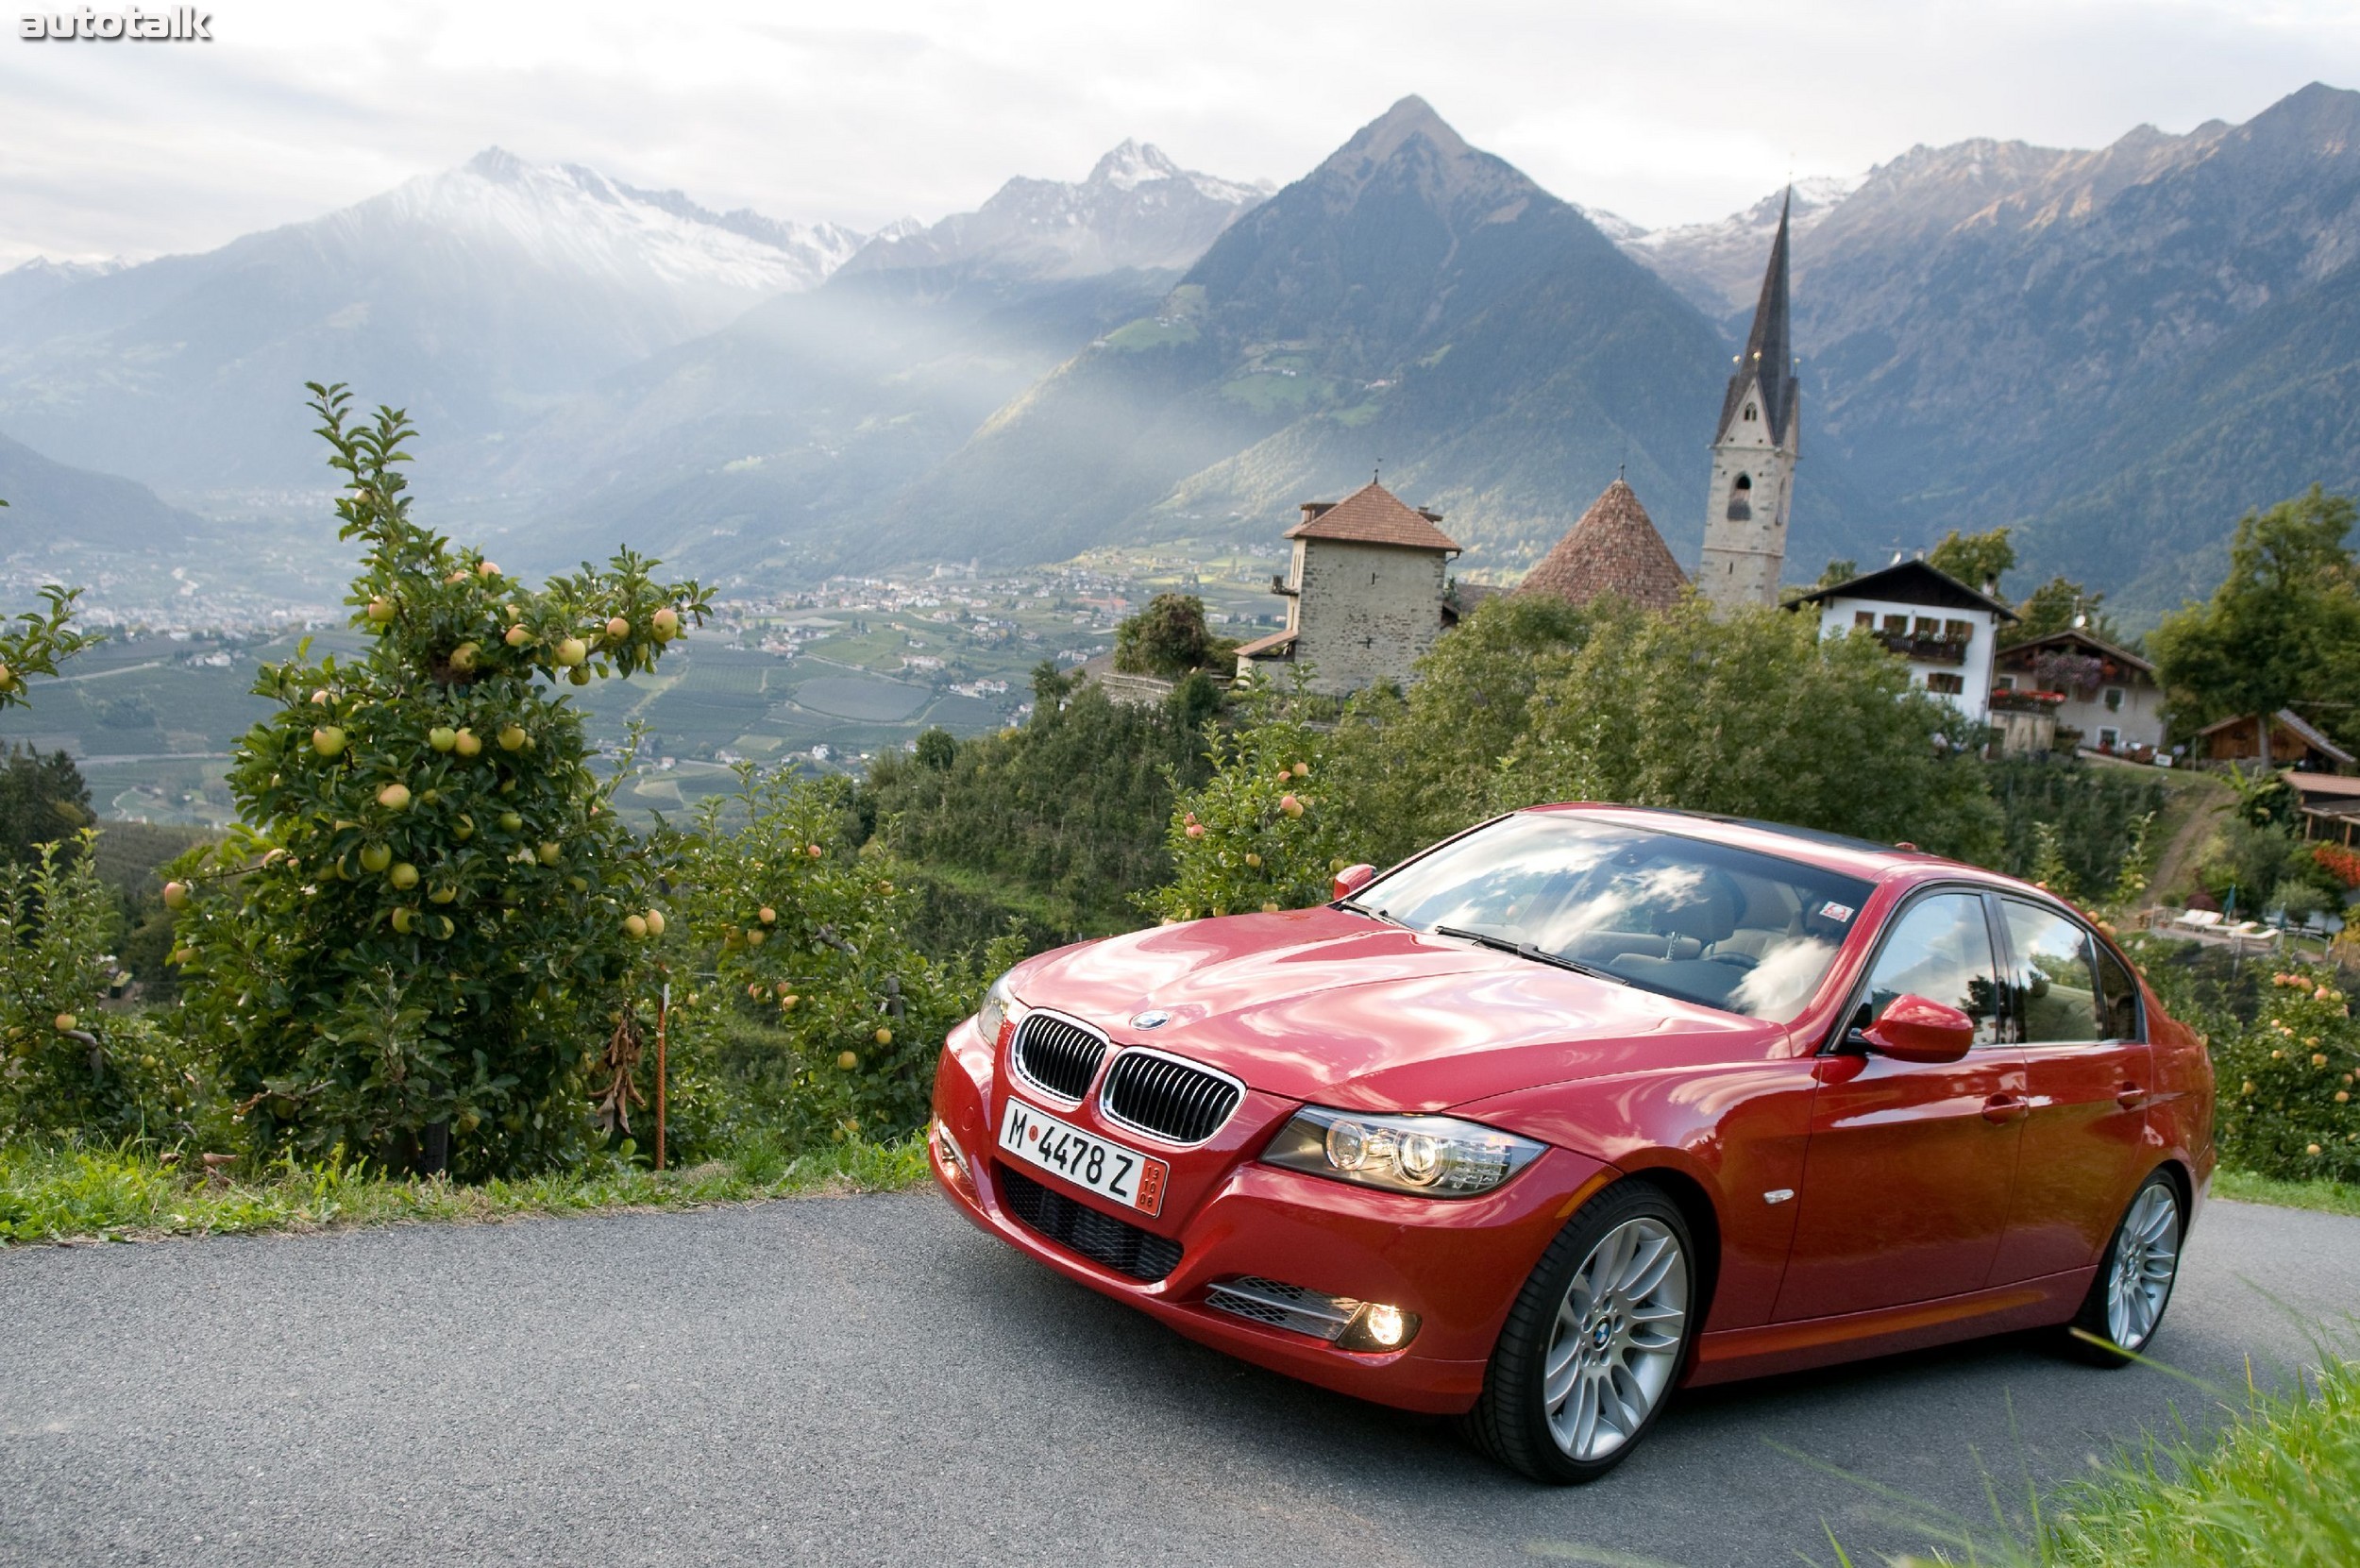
1705, 922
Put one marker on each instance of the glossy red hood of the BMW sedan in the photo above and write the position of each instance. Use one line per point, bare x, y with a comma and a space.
1332, 1007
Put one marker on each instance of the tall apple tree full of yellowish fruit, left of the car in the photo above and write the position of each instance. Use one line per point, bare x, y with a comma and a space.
431, 917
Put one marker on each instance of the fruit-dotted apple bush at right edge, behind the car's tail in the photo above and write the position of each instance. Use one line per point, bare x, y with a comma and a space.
2288, 1083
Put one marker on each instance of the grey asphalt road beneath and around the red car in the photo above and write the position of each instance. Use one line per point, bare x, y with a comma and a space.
872, 1383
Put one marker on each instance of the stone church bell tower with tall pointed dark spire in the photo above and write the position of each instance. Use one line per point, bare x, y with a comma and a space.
1745, 514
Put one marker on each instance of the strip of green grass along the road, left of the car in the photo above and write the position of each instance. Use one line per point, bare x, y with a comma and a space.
107, 1194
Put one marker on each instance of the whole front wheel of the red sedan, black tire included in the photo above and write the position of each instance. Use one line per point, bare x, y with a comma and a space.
1613, 1305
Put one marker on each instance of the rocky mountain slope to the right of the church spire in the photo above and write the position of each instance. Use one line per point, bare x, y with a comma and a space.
2113, 351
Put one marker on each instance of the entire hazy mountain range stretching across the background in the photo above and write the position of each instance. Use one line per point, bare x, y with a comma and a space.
2111, 351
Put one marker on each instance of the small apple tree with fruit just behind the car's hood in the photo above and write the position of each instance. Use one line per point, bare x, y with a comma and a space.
1254, 837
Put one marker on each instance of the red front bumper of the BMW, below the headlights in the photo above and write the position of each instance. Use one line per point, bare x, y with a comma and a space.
1457, 1265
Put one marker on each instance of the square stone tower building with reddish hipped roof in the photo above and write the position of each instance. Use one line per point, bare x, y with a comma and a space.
1365, 594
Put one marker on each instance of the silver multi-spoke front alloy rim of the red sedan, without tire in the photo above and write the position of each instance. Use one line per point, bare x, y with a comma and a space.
1618, 1338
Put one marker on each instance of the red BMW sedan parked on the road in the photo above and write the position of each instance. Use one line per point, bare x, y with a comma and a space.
1587, 1106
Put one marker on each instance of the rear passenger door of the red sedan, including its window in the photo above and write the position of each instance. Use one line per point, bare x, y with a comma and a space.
2073, 1010
